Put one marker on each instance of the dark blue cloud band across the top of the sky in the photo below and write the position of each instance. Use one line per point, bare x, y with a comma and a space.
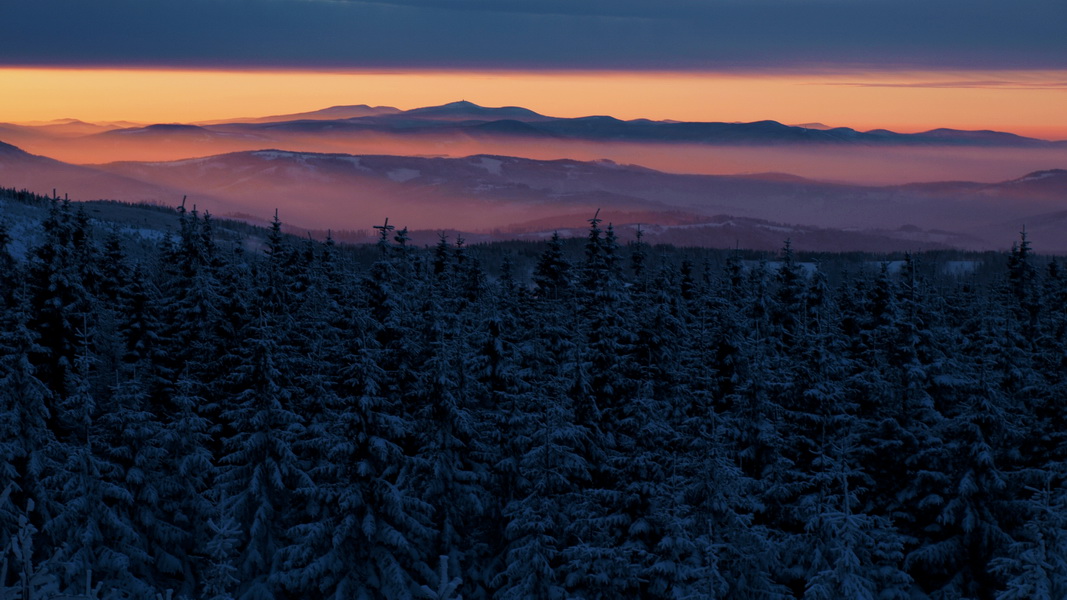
552, 35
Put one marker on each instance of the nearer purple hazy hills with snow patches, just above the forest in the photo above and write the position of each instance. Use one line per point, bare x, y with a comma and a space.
493, 197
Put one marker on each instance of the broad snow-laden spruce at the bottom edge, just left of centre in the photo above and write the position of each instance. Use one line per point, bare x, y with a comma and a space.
361, 536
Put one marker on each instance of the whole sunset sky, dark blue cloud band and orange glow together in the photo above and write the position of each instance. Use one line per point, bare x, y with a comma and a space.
902, 65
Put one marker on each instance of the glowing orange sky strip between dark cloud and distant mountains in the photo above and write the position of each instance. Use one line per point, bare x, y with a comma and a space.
1027, 103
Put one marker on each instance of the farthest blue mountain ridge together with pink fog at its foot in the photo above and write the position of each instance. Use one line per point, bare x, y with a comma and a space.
464, 129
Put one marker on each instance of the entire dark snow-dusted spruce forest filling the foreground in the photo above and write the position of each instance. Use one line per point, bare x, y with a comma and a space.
208, 422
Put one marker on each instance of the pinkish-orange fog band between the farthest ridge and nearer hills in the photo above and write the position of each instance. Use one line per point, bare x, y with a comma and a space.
853, 164
